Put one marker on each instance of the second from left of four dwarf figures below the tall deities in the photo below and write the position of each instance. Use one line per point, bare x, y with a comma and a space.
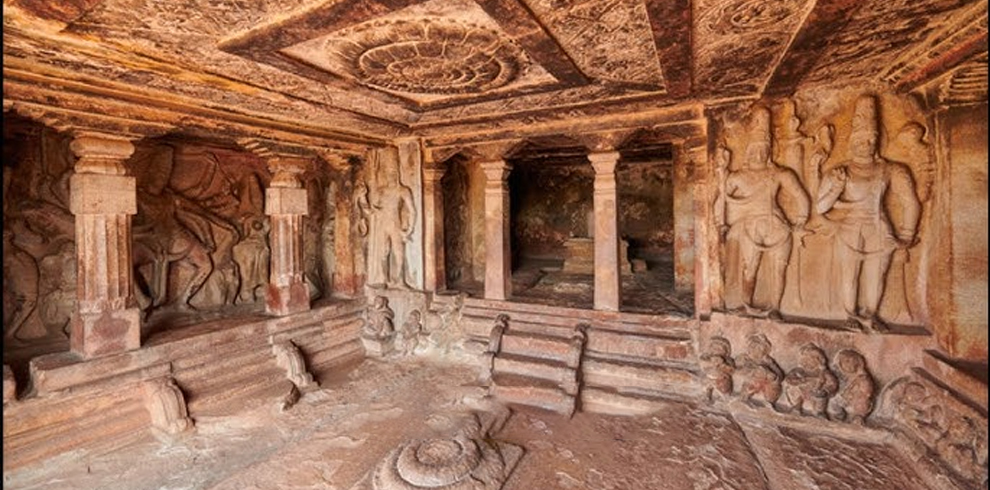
759, 376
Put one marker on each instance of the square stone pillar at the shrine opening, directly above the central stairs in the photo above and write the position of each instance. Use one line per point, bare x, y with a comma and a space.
498, 254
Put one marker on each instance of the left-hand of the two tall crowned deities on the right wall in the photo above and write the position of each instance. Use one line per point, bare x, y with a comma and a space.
756, 226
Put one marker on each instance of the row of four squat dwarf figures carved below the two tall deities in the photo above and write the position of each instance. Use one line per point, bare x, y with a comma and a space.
811, 388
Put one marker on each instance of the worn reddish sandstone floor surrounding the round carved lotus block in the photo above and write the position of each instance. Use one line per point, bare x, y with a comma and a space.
333, 437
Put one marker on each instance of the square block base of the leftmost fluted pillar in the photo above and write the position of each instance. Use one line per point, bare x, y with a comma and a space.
104, 333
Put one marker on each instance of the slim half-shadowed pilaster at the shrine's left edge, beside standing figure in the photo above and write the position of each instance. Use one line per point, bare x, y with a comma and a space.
436, 275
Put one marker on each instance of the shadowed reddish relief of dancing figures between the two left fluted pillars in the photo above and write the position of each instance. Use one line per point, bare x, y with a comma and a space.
199, 235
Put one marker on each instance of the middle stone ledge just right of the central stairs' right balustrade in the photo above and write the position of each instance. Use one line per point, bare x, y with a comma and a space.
631, 375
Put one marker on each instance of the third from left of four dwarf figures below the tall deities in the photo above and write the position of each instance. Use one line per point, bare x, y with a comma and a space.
808, 387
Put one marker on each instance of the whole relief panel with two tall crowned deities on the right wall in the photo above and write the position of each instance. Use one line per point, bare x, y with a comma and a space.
814, 234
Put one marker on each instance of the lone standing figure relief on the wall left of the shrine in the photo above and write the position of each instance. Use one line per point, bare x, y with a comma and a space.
394, 216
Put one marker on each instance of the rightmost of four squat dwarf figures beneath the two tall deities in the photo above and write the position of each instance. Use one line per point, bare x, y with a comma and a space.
857, 390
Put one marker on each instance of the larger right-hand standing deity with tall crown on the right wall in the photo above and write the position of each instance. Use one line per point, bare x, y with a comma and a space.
854, 196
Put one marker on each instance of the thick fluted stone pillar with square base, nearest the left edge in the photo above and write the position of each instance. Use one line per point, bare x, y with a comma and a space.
103, 199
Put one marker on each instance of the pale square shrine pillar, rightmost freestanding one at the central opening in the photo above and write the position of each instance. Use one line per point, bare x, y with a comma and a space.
608, 284
